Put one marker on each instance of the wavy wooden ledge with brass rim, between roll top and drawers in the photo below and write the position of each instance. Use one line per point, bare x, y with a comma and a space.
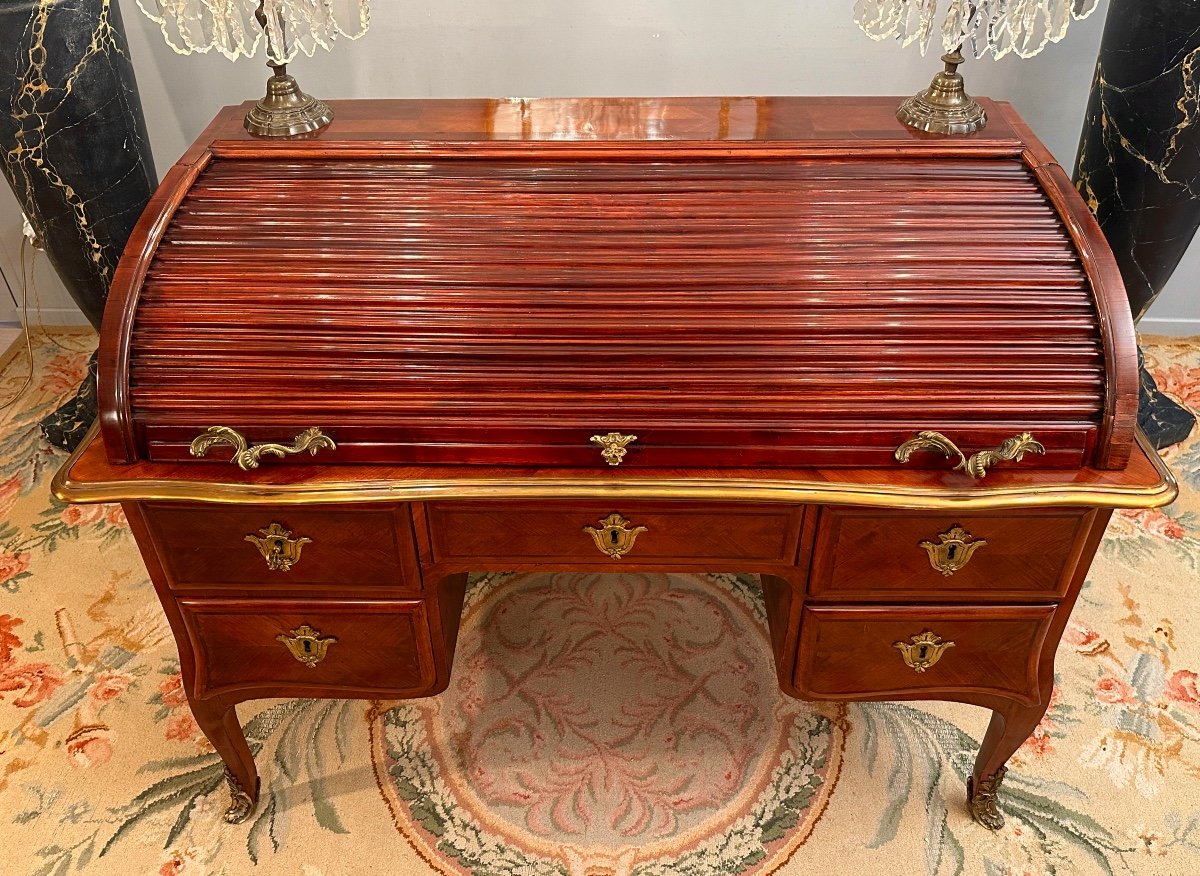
89, 477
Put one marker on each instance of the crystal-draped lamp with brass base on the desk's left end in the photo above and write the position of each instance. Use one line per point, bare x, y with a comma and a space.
237, 28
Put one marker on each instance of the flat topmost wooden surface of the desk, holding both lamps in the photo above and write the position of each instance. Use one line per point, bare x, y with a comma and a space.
453, 125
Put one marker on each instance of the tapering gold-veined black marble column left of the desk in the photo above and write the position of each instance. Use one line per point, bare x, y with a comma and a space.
74, 136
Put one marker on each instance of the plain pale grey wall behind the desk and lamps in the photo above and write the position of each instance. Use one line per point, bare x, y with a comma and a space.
471, 49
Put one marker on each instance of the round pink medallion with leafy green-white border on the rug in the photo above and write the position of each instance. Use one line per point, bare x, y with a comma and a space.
609, 725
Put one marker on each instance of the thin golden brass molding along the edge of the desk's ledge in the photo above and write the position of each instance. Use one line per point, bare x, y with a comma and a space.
717, 489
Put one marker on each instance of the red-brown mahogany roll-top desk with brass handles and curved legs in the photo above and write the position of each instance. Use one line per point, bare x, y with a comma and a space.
893, 375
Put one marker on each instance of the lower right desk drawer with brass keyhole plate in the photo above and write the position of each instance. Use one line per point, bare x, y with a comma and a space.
866, 651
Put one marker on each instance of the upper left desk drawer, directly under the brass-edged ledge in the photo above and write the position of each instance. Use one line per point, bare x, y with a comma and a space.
338, 545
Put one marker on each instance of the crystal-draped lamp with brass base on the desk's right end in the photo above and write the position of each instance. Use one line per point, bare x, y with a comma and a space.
976, 27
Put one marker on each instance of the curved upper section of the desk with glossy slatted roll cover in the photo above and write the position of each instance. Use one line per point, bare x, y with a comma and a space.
787, 297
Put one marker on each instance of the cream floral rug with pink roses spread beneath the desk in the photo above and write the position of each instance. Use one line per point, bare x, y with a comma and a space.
639, 735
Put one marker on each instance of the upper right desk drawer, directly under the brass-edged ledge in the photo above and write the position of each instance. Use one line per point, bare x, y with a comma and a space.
869, 555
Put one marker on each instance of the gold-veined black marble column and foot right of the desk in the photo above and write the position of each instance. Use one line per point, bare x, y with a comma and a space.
1139, 163
